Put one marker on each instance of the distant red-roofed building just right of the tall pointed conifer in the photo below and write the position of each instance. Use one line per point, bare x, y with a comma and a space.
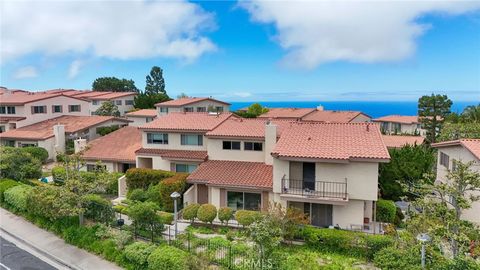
192, 104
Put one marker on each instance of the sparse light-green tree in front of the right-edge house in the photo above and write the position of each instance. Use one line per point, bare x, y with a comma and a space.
442, 206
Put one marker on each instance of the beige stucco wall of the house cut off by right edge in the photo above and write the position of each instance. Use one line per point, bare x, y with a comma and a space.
461, 154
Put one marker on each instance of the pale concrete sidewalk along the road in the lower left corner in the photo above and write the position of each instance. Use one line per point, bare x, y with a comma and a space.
49, 244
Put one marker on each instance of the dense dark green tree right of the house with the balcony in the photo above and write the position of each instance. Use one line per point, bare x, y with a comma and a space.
406, 169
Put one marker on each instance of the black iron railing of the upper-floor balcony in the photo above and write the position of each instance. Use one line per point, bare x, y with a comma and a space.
315, 189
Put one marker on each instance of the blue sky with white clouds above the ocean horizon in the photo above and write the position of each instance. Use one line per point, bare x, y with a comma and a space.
248, 50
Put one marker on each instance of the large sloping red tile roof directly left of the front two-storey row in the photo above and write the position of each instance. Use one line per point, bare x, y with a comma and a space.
119, 146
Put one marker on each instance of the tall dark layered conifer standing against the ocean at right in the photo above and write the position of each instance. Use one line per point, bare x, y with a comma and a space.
432, 111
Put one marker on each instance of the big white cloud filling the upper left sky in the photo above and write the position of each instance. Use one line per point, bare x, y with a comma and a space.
112, 29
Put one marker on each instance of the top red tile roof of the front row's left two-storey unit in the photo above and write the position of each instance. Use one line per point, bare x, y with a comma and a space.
187, 122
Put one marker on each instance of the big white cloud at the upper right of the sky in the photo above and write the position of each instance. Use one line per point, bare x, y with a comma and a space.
316, 32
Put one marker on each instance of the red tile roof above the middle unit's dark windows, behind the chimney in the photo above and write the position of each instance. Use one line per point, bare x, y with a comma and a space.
247, 128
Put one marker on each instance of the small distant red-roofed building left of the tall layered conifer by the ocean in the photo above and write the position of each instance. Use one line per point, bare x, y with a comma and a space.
400, 124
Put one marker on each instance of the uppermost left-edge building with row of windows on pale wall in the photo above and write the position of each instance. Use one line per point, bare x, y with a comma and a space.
23, 109
